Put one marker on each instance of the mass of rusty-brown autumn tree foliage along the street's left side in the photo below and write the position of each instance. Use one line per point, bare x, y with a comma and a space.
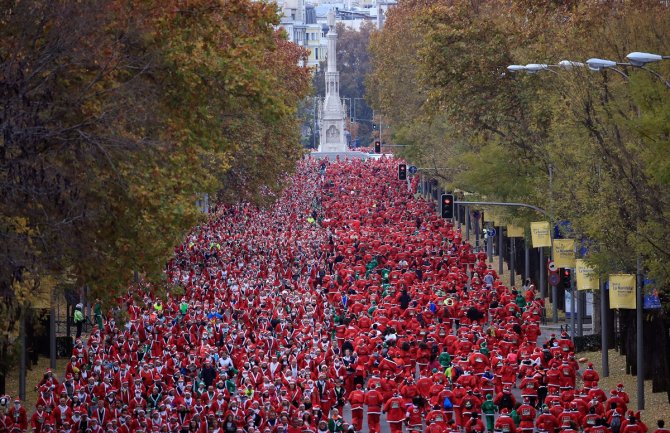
116, 116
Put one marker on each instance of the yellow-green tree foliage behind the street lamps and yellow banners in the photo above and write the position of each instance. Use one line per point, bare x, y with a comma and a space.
590, 147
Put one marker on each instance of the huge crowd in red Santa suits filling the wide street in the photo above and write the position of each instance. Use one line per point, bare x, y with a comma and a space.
348, 294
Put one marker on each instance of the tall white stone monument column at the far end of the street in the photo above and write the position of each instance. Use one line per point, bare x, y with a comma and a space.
332, 137
